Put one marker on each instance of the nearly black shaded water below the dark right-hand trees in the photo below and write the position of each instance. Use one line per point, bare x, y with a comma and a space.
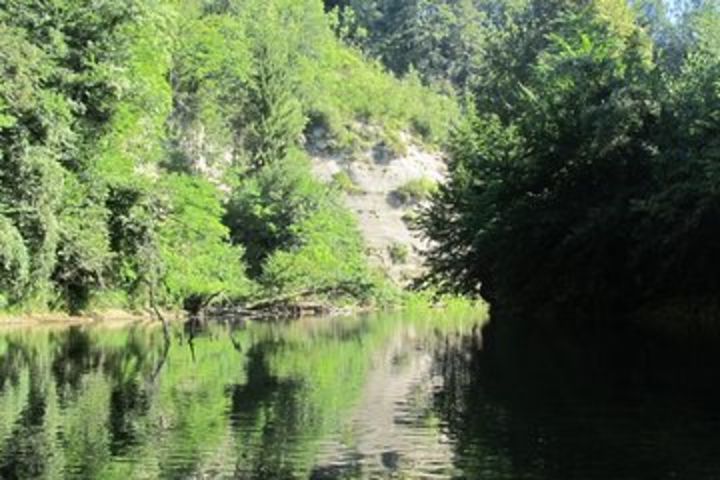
529, 405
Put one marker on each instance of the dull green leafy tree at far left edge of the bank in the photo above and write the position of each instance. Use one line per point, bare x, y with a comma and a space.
34, 129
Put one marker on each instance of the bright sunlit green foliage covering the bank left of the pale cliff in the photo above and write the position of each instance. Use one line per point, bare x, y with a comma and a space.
152, 150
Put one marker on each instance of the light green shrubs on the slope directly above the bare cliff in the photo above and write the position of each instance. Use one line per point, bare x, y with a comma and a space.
338, 81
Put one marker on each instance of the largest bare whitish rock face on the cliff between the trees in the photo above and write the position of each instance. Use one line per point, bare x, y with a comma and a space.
377, 175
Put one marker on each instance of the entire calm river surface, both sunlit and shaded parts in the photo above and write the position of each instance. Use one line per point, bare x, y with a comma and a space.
392, 396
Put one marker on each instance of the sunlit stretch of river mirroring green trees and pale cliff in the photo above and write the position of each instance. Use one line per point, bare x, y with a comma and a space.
343, 398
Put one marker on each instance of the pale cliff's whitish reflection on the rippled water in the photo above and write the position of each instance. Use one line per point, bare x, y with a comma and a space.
392, 431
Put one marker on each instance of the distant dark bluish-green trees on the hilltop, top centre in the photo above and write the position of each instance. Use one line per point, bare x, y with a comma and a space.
444, 41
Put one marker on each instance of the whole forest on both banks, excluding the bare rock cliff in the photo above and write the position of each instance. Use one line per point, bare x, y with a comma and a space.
156, 151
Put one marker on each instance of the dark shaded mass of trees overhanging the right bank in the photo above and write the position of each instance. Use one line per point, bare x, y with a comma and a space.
585, 177
